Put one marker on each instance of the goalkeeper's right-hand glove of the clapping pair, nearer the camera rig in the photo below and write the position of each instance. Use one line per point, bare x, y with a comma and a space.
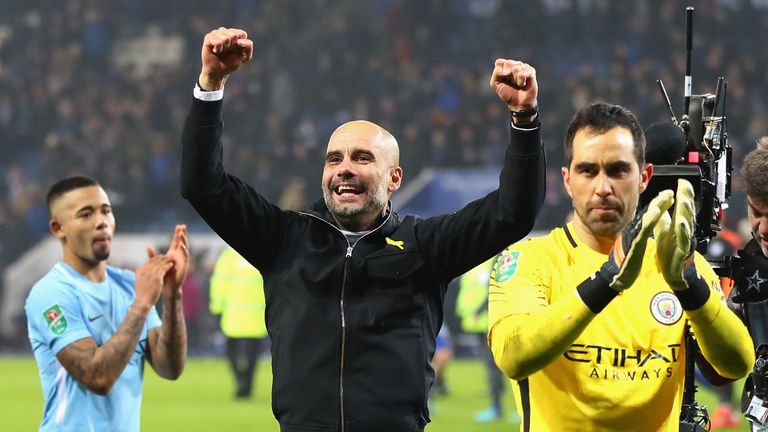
675, 240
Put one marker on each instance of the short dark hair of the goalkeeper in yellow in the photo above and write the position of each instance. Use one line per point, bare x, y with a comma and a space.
601, 117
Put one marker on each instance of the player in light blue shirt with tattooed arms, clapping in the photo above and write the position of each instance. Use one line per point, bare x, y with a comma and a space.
91, 326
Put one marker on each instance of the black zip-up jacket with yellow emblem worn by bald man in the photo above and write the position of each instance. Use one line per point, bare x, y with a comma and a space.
353, 326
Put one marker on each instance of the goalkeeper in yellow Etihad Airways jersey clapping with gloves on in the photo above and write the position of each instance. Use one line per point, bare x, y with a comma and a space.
589, 320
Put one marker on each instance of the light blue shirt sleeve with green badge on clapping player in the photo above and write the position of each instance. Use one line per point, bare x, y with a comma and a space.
57, 316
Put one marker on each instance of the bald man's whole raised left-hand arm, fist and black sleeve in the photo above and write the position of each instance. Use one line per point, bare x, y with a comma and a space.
232, 208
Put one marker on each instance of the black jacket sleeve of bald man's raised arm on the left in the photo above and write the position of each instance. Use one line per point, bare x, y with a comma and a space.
234, 210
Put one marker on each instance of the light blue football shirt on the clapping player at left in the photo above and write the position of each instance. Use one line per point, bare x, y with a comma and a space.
64, 307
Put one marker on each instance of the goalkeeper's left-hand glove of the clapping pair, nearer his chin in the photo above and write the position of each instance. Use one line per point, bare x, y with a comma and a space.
626, 257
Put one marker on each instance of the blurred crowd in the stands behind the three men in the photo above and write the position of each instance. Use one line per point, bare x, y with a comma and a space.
101, 88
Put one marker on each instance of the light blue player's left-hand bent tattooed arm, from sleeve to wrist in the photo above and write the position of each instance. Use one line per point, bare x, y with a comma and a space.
97, 368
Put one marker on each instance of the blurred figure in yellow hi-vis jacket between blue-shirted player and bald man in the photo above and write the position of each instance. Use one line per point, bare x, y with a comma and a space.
237, 297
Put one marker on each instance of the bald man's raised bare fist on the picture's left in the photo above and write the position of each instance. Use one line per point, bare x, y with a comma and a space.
224, 51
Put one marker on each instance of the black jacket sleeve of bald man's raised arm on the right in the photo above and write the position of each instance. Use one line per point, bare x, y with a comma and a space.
453, 244
